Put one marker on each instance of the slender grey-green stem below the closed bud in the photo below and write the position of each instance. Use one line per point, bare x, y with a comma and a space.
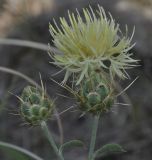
50, 139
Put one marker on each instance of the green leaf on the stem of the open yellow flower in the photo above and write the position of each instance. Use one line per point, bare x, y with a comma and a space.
108, 149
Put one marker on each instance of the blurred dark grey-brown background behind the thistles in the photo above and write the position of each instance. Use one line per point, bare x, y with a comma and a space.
130, 126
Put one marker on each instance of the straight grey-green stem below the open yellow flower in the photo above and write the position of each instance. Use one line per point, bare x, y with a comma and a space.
93, 136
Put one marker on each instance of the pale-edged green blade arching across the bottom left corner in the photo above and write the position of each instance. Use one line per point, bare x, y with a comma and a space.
17, 153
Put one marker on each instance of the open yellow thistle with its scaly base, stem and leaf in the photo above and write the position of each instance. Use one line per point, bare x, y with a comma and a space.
94, 51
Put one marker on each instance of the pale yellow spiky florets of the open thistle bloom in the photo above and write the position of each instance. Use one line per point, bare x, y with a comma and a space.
87, 43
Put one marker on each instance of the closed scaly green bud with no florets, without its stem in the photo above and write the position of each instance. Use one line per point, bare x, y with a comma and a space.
35, 105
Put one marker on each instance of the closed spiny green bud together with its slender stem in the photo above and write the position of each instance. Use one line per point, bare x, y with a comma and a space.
36, 109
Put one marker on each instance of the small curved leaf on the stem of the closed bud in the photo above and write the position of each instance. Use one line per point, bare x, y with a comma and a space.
70, 144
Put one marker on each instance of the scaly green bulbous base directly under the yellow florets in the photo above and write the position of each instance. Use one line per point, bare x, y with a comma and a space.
96, 95
